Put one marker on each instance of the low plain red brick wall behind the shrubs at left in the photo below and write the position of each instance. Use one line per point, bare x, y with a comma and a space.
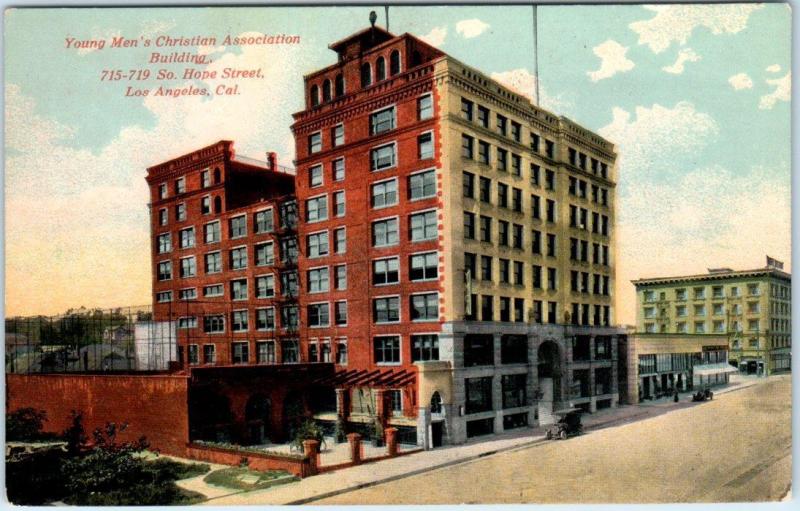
154, 406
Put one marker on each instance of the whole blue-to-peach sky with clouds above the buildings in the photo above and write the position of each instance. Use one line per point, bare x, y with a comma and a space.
695, 97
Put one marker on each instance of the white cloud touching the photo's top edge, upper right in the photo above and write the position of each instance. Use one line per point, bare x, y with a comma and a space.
675, 23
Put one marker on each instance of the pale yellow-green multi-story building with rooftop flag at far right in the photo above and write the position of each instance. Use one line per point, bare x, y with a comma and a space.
752, 308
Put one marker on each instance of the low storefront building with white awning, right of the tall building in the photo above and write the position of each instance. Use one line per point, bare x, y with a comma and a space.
659, 364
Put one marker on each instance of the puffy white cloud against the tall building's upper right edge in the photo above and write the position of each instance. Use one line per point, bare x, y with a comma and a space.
656, 134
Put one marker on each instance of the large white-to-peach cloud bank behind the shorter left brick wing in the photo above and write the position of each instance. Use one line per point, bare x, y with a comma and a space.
88, 243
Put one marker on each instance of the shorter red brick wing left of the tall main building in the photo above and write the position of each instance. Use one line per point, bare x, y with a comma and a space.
224, 255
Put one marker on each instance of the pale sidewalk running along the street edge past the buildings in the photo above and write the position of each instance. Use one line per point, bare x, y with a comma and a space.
370, 474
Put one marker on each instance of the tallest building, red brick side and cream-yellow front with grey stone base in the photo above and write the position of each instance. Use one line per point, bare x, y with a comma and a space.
457, 243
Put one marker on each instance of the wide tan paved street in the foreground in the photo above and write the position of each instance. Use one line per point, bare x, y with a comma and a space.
734, 448
